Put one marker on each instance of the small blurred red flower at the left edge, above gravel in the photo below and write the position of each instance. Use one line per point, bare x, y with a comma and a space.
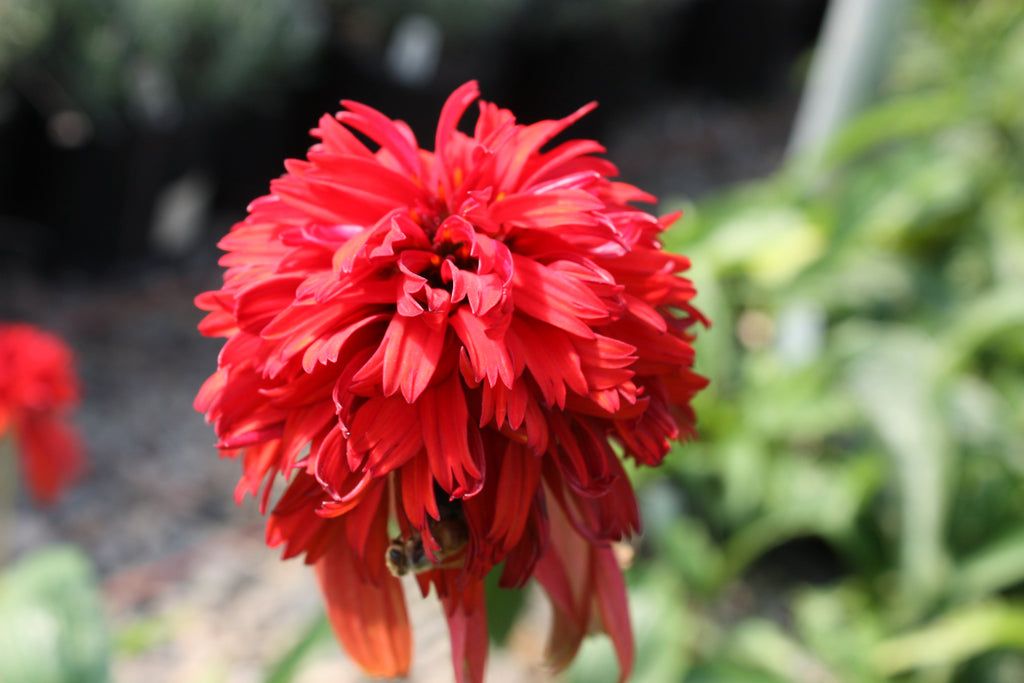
38, 388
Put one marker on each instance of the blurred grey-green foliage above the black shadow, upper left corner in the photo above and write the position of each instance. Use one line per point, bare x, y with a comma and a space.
161, 60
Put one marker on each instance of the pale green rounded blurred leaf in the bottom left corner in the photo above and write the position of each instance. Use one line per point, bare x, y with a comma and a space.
52, 623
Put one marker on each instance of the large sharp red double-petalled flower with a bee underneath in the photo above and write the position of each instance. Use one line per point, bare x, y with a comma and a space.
450, 349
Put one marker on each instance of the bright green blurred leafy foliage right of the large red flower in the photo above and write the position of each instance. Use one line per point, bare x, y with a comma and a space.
868, 394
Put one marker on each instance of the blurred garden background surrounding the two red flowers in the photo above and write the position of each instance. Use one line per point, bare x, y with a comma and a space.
854, 182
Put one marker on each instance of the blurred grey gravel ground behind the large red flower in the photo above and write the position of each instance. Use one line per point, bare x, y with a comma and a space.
192, 592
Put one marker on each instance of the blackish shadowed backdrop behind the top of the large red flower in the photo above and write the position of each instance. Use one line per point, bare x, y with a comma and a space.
694, 95
